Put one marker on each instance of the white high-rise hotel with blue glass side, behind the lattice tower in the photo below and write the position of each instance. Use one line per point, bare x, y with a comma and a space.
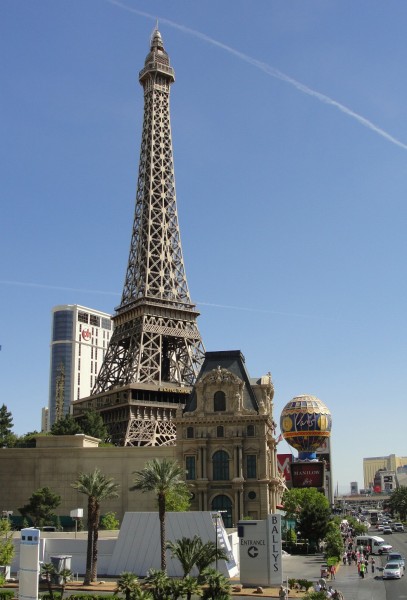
80, 337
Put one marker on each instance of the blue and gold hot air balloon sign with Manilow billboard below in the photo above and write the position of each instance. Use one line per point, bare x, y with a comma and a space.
305, 424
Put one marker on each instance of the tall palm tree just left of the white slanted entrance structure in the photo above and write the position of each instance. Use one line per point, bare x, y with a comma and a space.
97, 487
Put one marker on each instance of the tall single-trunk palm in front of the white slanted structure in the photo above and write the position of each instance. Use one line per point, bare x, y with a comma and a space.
161, 478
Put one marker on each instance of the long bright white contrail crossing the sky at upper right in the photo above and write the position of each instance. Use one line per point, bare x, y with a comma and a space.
269, 70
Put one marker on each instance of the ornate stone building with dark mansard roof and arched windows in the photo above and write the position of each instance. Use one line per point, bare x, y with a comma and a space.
225, 440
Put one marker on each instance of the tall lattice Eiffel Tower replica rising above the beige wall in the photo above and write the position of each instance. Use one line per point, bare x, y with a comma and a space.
155, 351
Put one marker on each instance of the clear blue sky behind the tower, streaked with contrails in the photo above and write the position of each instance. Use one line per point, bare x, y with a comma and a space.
290, 145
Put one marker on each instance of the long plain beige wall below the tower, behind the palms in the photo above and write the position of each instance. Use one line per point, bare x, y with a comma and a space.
58, 464
